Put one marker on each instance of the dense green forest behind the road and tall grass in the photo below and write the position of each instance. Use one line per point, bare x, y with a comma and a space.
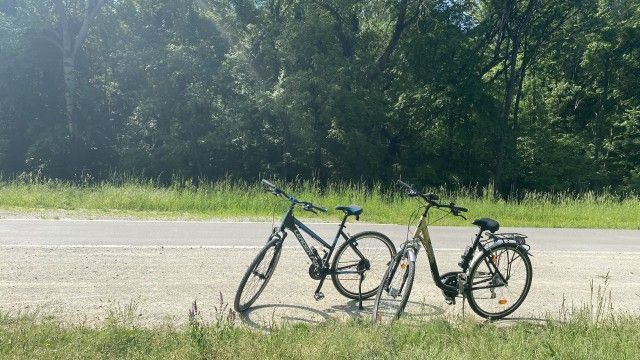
523, 94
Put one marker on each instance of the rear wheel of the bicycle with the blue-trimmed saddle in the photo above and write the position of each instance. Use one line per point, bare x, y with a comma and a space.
376, 247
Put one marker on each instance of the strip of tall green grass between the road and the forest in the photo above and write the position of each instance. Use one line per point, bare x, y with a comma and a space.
238, 200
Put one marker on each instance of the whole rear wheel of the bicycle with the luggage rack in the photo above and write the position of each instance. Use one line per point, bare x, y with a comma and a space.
493, 296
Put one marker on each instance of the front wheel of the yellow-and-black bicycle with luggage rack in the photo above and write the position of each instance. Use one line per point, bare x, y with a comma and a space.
394, 291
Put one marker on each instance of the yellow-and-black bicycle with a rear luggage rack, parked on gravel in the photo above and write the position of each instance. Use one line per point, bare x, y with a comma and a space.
495, 274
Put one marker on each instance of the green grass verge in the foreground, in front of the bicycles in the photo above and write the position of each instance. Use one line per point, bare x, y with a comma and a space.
580, 338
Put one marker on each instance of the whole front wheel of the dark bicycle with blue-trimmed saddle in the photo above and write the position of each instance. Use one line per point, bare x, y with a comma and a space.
258, 274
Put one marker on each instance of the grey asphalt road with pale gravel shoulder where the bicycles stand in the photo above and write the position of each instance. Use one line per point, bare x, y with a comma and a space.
150, 272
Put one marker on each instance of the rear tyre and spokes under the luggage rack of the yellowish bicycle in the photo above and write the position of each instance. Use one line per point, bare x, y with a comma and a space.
480, 299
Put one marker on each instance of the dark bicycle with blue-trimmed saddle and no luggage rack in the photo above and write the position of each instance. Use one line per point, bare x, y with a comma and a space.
356, 269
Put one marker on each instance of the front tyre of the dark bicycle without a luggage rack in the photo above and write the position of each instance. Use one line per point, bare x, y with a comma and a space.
276, 243
